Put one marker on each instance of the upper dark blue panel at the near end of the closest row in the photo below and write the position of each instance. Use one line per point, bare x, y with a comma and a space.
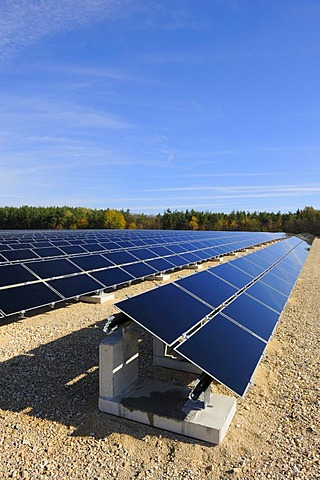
167, 311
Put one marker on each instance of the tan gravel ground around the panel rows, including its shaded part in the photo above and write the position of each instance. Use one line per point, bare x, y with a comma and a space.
51, 428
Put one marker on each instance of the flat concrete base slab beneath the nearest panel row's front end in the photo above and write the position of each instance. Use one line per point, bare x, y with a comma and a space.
166, 406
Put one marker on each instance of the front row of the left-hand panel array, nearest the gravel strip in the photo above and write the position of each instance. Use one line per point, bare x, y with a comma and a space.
28, 285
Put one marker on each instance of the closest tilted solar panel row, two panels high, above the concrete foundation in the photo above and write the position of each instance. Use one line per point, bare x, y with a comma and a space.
221, 319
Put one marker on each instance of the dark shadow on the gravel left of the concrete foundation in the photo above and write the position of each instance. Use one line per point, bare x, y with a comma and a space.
59, 381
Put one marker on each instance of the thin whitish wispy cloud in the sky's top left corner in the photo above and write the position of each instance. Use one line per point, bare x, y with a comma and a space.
25, 22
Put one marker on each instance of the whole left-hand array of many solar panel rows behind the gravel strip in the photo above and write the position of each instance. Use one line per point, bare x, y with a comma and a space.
40, 268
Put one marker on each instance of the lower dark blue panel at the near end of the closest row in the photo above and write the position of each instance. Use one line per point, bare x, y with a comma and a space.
226, 352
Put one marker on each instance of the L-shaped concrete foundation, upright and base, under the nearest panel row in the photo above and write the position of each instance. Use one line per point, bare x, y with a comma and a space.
153, 402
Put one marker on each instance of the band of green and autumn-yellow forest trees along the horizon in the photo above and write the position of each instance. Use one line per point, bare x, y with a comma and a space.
25, 217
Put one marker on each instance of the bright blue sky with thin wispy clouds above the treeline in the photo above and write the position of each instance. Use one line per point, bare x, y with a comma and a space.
156, 104
